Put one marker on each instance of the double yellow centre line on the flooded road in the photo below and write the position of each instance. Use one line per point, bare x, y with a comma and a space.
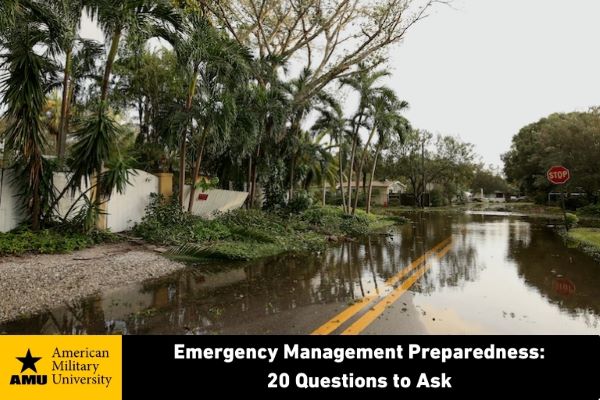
384, 302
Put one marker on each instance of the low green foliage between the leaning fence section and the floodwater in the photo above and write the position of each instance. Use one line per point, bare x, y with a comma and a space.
247, 234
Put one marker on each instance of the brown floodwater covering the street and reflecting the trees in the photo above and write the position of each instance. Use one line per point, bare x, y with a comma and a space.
440, 274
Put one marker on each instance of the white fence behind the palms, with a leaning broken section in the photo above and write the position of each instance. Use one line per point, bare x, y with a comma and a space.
124, 210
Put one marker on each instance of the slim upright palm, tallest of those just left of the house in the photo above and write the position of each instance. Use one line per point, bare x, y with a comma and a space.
363, 82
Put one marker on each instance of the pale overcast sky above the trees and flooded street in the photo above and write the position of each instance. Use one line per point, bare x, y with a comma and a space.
483, 69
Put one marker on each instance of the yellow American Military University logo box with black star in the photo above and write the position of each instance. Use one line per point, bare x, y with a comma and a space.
60, 367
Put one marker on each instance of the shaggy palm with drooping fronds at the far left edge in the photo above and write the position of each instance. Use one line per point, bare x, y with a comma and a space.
28, 78
